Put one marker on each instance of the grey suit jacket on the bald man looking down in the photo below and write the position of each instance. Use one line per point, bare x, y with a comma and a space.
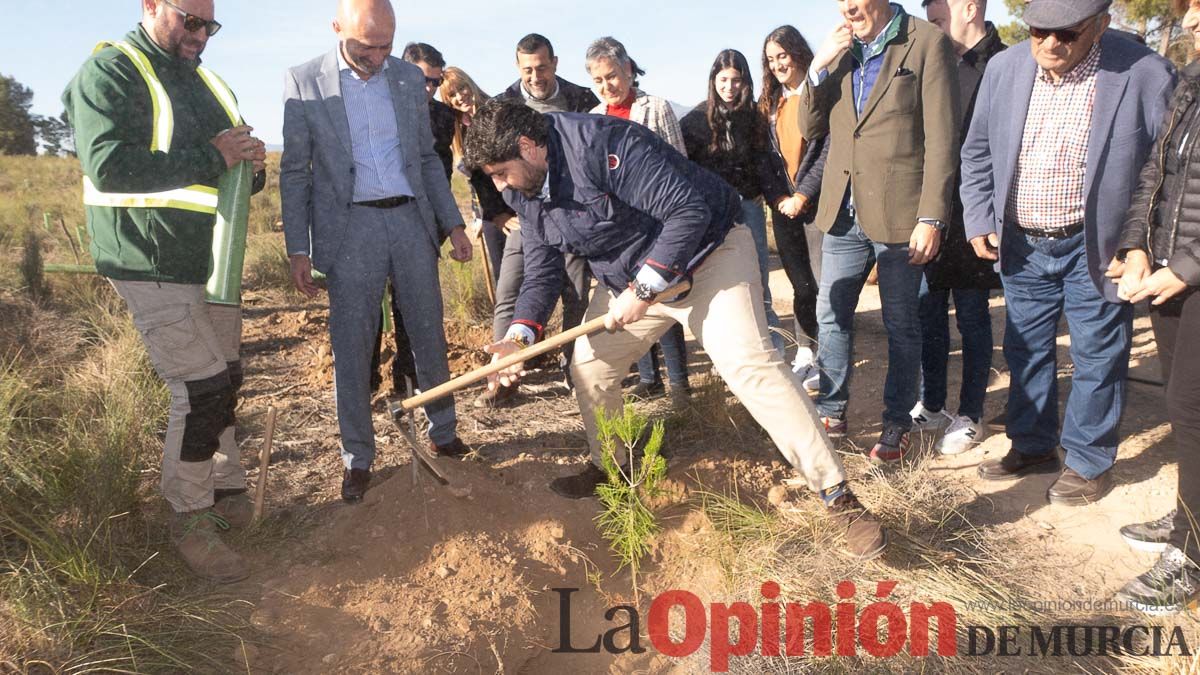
317, 169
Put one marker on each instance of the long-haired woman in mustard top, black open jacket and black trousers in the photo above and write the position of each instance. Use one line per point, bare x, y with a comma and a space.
787, 57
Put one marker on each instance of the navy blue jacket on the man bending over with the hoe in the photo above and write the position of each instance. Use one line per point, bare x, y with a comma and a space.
626, 201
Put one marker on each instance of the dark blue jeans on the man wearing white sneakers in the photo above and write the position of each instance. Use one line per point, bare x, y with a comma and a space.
975, 325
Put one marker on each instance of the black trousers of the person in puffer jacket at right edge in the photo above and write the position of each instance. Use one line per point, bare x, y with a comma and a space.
1174, 324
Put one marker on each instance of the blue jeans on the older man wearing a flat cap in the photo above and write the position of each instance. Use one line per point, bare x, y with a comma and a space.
1046, 279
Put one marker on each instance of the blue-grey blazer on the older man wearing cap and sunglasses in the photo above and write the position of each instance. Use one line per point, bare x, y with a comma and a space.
1132, 93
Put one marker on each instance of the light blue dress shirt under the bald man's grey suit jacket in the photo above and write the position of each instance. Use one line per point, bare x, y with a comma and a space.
375, 138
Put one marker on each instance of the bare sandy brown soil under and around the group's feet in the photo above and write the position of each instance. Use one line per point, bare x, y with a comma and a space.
423, 578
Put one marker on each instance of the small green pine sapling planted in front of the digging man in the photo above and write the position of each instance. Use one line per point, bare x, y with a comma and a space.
626, 522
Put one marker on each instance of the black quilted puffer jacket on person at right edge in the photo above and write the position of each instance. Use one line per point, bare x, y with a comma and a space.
1165, 216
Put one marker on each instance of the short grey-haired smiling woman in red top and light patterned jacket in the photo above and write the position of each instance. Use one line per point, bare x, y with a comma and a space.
615, 76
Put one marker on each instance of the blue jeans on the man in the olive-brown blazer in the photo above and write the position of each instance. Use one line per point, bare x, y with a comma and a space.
848, 256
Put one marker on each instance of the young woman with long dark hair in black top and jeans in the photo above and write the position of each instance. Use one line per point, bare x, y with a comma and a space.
729, 136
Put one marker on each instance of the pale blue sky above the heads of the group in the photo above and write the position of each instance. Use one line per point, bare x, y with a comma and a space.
674, 41
